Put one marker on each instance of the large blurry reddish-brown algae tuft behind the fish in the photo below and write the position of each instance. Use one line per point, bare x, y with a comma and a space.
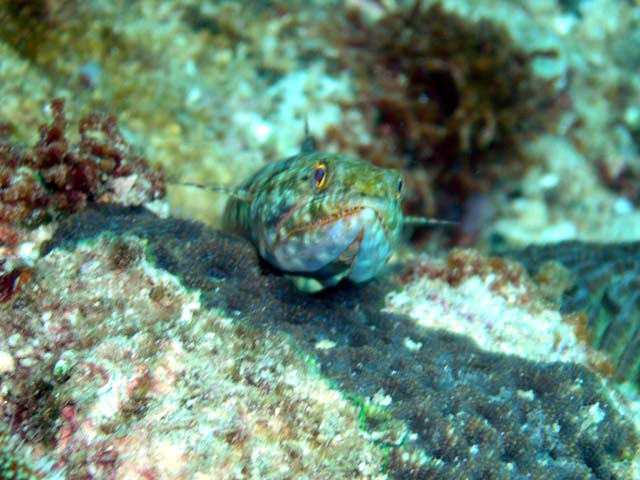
448, 100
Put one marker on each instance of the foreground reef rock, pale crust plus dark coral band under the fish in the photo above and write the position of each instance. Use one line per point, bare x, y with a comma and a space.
221, 365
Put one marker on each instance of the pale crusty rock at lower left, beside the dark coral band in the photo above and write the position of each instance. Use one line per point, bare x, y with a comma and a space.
137, 378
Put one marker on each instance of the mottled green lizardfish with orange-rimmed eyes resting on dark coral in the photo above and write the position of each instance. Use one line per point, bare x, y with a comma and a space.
321, 216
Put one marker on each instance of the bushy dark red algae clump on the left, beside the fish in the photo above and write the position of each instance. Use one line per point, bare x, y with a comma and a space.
58, 176
